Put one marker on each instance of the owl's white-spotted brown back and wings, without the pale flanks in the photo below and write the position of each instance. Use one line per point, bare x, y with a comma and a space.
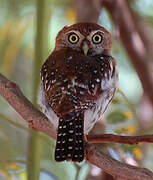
74, 81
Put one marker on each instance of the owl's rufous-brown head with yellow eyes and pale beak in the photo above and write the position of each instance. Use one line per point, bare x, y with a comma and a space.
87, 38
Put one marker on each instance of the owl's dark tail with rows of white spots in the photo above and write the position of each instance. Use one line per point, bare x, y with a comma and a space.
70, 138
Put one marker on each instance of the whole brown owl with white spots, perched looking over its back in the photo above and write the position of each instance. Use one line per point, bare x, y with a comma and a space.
79, 80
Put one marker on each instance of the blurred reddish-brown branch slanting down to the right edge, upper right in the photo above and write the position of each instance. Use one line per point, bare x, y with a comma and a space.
120, 12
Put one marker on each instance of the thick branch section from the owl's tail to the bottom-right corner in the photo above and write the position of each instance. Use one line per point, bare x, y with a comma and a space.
114, 167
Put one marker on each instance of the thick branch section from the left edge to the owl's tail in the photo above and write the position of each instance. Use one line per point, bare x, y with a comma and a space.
36, 119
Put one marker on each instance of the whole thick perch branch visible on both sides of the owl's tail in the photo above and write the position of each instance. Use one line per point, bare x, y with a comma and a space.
38, 121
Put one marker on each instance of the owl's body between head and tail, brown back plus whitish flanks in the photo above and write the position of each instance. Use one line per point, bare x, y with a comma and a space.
74, 82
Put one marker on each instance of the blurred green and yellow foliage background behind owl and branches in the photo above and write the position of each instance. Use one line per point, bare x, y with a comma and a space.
27, 37
